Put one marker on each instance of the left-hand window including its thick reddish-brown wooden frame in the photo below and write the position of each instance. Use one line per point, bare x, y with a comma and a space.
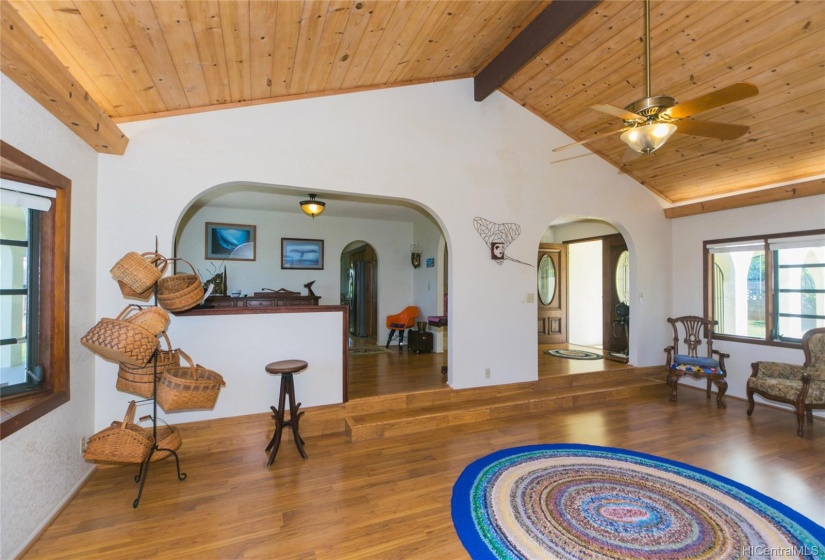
41, 339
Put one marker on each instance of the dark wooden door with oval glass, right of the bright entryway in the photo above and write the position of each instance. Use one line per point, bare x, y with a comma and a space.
615, 287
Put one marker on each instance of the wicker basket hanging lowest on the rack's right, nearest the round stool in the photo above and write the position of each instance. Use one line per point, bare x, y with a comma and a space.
188, 387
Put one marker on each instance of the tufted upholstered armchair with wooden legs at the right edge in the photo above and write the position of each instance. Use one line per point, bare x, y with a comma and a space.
802, 386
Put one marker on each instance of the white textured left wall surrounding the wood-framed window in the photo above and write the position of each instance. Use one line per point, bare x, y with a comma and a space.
41, 463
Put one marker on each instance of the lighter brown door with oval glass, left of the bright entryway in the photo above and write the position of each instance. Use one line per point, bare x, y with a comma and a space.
552, 293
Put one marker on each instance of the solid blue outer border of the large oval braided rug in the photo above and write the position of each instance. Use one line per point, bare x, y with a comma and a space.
461, 505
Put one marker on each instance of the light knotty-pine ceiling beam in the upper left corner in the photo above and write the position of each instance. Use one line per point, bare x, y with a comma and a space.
29, 63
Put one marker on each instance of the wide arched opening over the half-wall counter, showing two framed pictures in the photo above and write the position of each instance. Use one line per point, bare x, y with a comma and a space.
348, 239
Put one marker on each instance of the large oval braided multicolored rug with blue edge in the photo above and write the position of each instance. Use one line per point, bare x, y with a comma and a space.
585, 502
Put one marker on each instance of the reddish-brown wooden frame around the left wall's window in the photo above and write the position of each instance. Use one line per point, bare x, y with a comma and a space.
21, 410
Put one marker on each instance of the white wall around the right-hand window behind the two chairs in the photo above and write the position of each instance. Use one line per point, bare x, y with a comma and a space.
688, 236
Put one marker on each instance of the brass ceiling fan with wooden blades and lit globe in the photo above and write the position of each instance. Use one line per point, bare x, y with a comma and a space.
650, 121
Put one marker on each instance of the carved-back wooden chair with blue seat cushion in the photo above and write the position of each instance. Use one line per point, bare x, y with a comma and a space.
692, 359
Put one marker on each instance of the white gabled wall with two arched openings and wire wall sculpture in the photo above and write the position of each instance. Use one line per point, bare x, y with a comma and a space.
457, 158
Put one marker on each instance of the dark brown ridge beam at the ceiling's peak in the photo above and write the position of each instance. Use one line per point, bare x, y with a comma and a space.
554, 20
